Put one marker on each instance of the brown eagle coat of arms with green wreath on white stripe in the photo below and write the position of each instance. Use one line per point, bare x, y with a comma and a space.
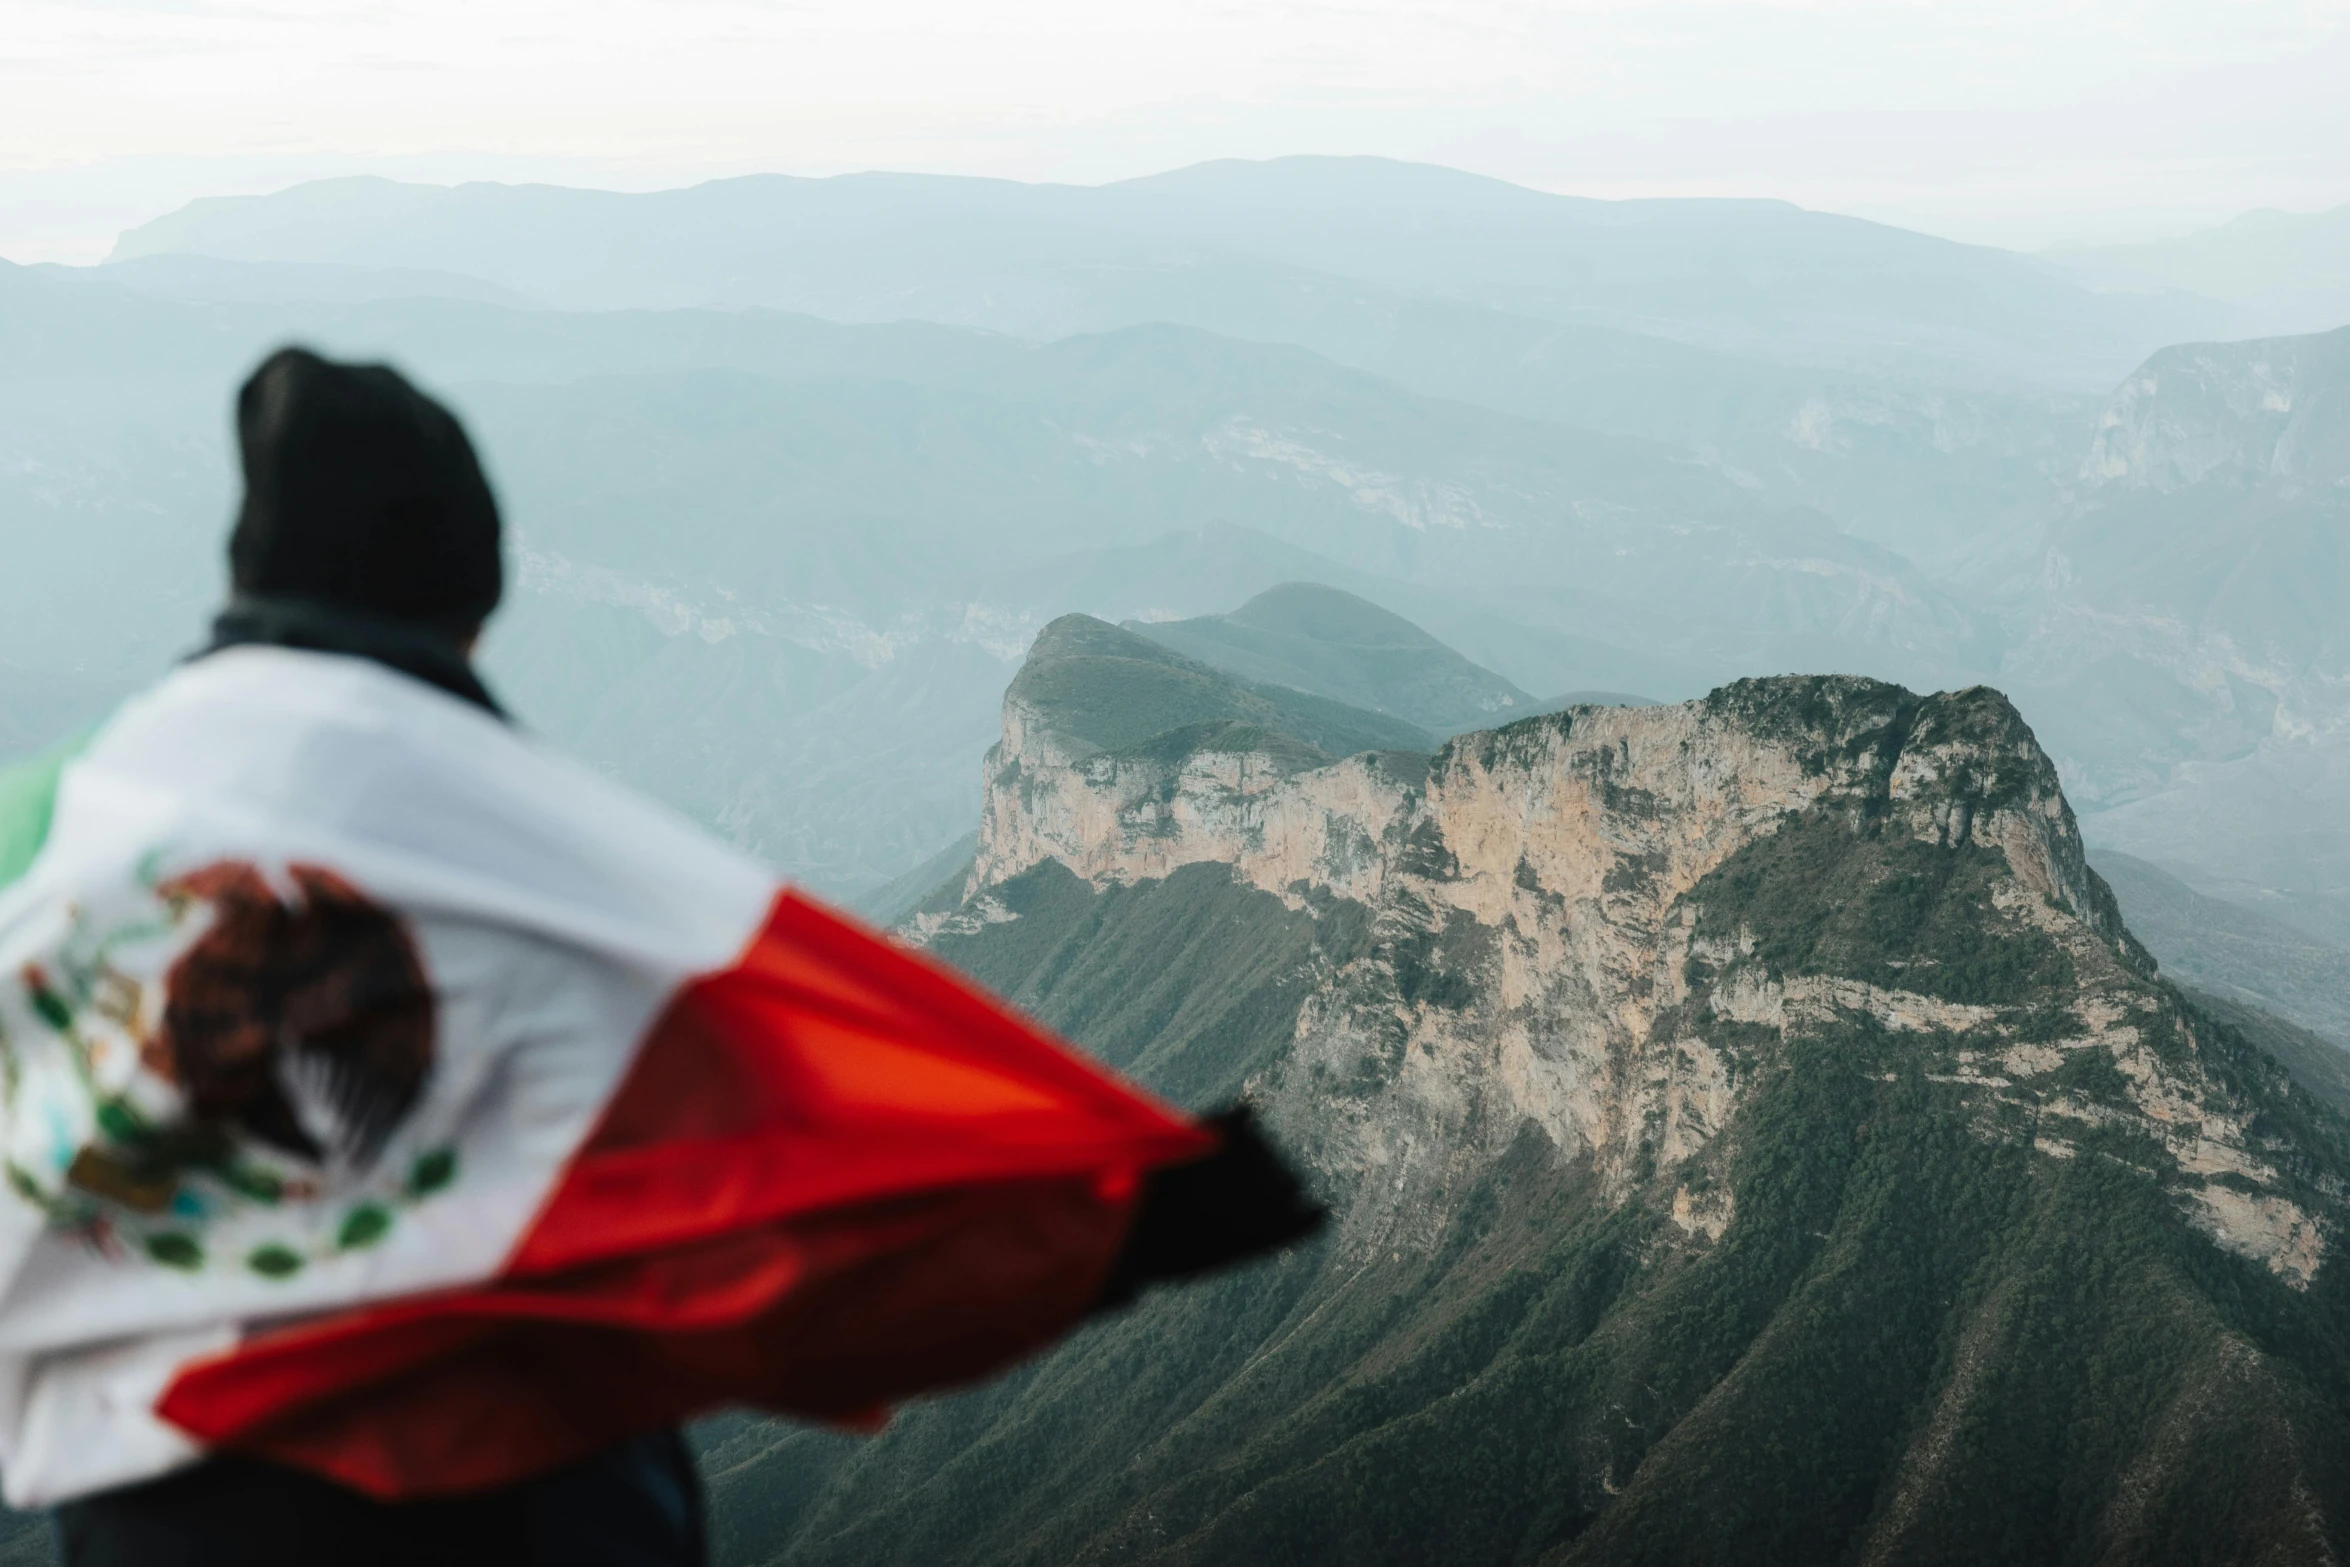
290, 1025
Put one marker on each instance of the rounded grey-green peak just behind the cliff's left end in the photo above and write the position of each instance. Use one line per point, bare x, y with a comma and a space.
1336, 645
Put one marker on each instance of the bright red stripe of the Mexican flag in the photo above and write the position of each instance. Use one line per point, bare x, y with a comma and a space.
835, 1176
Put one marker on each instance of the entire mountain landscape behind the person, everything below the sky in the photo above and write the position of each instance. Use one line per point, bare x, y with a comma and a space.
1750, 786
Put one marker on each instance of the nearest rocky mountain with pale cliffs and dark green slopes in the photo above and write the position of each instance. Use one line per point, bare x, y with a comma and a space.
1752, 1129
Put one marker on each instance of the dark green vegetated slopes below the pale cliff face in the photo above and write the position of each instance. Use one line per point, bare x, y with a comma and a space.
1919, 1343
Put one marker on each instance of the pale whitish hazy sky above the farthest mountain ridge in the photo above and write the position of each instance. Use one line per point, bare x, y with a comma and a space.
2006, 121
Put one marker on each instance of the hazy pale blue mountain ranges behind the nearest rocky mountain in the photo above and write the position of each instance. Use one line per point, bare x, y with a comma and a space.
779, 567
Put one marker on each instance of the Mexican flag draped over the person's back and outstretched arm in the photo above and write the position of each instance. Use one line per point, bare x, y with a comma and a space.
391, 1098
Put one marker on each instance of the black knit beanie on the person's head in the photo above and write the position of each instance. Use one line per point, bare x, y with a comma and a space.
363, 492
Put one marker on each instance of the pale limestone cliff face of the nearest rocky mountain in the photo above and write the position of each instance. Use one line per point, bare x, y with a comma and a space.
1559, 939
